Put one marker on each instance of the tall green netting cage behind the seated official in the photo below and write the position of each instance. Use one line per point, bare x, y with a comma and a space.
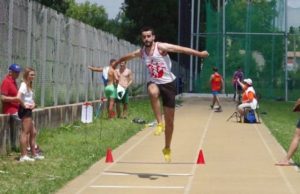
252, 35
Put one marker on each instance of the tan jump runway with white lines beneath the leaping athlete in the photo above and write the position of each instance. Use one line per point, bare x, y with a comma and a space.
239, 159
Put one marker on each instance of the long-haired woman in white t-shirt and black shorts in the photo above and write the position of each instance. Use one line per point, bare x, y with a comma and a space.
27, 104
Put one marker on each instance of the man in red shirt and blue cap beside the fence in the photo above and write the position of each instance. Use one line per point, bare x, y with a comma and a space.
9, 91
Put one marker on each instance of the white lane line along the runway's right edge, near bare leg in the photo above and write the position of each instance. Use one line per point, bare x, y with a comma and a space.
288, 184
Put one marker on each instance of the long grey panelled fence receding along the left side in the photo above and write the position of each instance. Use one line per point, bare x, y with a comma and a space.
60, 49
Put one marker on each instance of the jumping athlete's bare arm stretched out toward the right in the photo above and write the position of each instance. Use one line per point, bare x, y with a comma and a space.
166, 47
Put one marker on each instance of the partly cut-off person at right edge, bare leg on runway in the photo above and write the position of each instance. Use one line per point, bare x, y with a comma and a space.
294, 143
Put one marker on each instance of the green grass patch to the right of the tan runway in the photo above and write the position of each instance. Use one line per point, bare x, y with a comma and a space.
281, 121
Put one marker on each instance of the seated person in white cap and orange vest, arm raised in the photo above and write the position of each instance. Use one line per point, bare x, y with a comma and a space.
249, 99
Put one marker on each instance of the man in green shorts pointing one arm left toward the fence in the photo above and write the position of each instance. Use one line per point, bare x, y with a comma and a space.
110, 87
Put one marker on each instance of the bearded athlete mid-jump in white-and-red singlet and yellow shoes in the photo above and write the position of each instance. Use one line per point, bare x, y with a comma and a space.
162, 81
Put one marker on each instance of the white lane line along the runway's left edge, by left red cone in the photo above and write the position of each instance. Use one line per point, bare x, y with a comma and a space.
118, 159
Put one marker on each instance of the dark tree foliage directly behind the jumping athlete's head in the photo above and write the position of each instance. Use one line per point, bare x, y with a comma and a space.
161, 15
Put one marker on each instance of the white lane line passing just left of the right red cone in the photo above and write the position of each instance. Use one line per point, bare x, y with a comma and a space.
189, 184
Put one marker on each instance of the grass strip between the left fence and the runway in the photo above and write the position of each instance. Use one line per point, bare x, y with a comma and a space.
69, 151
